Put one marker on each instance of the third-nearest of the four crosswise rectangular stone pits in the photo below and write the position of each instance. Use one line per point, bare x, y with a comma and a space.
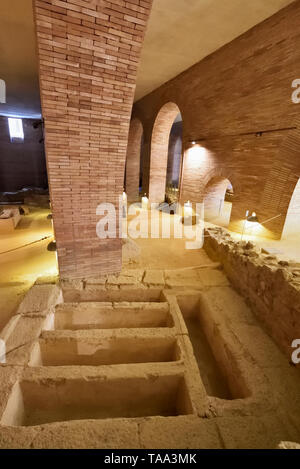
76, 316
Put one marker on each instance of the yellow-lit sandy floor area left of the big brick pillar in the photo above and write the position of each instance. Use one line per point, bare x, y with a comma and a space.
20, 267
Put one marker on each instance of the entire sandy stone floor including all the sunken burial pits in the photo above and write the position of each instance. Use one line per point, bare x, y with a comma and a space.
165, 355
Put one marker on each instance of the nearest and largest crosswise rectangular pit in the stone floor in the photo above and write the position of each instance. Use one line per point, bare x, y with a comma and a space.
39, 402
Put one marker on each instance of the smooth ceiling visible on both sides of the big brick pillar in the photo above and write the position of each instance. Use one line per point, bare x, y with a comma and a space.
180, 33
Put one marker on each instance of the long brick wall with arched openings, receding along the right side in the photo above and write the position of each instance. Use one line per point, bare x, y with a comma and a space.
237, 104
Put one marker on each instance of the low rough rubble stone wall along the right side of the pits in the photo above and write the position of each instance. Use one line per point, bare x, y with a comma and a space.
271, 287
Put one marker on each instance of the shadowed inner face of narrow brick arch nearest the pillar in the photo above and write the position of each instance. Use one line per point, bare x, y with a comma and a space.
133, 159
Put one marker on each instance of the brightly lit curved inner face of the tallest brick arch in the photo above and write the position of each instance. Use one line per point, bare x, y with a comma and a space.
159, 151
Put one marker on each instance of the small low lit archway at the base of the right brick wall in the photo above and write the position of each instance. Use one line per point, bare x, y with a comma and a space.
218, 198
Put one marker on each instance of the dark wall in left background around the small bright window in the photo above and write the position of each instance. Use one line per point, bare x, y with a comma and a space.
22, 164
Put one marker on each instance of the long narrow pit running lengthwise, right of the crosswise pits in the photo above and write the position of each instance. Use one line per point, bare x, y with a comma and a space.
215, 363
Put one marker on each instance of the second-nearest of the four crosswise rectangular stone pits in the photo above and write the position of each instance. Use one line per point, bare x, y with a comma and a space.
103, 351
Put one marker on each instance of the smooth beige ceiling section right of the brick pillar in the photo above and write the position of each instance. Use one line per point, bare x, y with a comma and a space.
182, 32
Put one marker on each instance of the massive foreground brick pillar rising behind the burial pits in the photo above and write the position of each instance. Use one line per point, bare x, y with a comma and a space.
89, 52
